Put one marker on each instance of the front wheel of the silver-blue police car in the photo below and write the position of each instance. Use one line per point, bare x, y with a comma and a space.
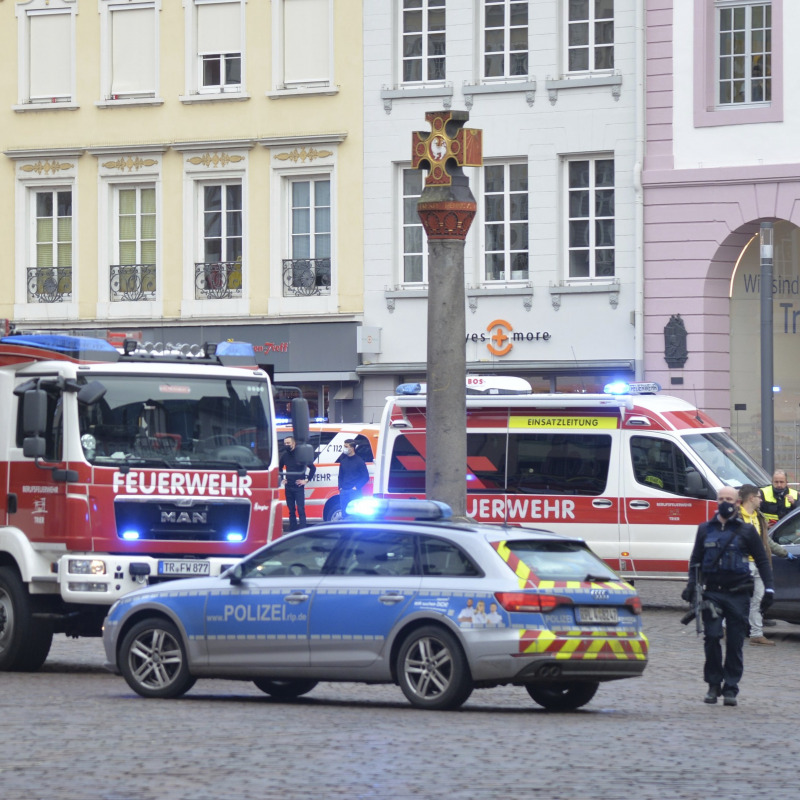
153, 660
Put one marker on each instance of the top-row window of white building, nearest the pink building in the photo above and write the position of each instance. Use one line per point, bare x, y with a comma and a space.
590, 35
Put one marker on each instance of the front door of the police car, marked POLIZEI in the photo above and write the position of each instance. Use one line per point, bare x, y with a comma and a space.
261, 618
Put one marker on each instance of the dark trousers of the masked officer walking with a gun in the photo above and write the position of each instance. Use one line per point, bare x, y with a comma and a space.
734, 608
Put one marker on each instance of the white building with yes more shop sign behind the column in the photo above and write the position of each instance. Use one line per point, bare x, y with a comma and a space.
553, 261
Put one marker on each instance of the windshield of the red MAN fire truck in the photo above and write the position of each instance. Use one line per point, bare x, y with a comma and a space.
163, 421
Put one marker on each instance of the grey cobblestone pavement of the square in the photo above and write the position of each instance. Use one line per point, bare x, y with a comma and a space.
75, 732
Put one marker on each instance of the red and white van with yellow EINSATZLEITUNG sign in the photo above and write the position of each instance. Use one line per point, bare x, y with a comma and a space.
631, 471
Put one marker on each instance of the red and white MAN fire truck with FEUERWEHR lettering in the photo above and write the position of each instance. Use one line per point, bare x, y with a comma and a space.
121, 467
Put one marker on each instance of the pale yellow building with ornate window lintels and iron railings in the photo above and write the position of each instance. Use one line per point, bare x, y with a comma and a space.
188, 171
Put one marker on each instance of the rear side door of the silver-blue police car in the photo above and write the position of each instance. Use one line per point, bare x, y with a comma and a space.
373, 584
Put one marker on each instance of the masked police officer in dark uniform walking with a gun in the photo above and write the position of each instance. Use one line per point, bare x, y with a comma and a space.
721, 551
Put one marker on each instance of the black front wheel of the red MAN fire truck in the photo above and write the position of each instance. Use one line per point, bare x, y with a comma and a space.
24, 640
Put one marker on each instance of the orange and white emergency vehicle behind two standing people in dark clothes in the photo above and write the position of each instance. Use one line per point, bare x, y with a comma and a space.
327, 439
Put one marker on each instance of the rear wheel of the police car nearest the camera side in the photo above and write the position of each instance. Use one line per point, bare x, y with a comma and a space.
432, 669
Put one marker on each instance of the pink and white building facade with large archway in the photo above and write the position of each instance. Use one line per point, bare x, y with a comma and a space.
721, 158
